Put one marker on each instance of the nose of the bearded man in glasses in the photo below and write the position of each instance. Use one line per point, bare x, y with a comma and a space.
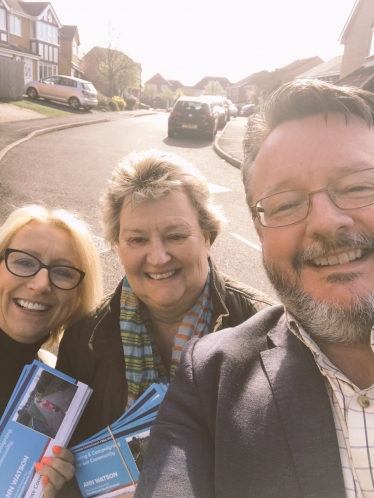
325, 219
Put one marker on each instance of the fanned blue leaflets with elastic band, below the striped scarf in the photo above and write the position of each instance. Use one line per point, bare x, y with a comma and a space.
108, 464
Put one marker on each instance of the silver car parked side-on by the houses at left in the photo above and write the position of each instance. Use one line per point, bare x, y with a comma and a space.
73, 91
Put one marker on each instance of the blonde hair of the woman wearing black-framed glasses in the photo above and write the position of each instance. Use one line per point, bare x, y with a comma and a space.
90, 290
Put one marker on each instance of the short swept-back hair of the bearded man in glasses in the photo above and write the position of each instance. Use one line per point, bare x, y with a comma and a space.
297, 100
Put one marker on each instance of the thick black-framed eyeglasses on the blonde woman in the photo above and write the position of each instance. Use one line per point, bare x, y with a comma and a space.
23, 264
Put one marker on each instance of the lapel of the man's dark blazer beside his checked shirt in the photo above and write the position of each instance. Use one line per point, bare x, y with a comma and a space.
306, 414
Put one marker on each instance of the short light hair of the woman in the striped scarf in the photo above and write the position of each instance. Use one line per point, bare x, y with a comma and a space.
149, 176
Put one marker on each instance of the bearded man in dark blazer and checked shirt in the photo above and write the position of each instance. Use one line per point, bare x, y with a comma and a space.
283, 405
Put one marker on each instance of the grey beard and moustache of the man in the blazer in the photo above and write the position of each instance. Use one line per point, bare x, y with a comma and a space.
328, 321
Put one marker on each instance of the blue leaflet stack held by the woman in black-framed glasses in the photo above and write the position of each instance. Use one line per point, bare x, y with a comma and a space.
43, 411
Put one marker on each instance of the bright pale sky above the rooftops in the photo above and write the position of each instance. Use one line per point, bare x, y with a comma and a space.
187, 40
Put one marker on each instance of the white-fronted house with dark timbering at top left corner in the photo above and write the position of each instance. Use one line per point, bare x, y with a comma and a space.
29, 33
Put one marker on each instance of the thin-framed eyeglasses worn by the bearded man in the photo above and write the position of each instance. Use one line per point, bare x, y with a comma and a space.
351, 191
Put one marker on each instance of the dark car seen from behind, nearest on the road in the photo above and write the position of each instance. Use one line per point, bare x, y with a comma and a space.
193, 114
